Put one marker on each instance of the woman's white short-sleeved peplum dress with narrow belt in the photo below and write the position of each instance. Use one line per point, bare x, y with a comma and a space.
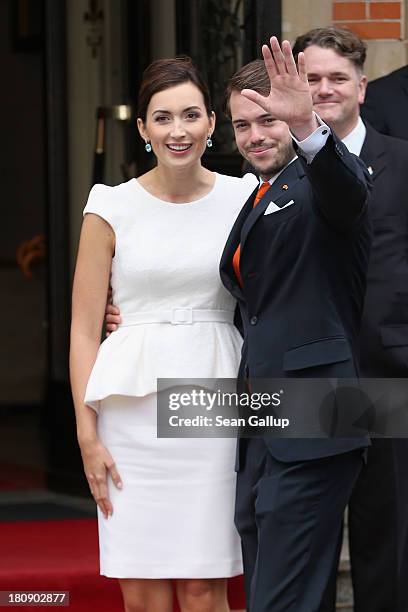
174, 517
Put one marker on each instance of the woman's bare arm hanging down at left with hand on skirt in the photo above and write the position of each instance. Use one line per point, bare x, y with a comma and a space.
88, 307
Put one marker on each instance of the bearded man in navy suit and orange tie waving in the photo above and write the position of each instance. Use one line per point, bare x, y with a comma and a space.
296, 261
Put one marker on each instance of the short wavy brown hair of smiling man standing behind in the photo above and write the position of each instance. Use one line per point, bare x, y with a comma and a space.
344, 42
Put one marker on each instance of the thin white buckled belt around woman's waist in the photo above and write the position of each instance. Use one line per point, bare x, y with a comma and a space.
178, 316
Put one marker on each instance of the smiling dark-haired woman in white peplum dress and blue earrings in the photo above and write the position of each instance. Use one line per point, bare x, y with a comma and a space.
165, 506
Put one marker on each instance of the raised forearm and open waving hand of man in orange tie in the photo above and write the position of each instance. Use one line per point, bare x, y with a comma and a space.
340, 182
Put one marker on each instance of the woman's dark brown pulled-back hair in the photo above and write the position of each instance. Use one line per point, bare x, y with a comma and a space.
165, 73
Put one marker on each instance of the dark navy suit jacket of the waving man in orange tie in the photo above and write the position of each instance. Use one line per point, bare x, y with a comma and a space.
304, 278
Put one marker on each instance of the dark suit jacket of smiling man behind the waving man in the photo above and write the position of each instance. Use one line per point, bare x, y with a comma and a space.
384, 332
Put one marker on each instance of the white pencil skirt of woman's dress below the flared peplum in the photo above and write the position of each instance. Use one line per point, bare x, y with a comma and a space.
174, 516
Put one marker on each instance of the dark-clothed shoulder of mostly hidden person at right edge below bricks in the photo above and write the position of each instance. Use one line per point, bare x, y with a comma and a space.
386, 104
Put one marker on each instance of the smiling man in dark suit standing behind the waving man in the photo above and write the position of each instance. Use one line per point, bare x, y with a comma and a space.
378, 509
